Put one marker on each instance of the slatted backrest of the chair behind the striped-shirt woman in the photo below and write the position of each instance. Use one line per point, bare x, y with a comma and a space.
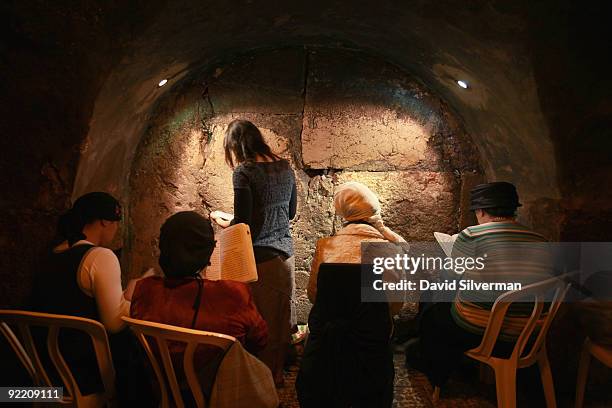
550, 291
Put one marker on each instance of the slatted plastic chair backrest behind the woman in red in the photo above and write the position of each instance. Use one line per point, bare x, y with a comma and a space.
161, 334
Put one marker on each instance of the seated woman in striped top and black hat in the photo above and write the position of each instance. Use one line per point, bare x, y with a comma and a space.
512, 253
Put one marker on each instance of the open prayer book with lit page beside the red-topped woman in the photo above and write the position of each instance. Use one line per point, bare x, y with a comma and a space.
233, 257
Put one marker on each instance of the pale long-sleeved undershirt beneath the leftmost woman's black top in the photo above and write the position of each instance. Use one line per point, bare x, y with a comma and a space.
100, 277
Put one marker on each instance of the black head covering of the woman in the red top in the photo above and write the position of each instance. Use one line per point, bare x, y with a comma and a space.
186, 242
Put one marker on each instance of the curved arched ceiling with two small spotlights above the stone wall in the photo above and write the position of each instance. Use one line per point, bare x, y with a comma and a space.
483, 43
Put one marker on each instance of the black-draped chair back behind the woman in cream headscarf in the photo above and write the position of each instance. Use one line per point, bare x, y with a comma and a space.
353, 330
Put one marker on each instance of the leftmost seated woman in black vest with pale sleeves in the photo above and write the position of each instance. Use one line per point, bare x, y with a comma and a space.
82, 277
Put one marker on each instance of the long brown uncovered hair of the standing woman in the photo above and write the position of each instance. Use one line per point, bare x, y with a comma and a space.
243, 142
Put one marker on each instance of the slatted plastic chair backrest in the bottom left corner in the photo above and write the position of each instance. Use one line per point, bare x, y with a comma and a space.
26, 349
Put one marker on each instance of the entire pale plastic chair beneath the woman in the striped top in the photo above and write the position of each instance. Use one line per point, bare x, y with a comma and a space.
505, 369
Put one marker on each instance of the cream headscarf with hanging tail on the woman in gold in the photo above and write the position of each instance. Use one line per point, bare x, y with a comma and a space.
356, 202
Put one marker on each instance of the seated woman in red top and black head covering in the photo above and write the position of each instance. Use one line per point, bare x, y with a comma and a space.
184, 297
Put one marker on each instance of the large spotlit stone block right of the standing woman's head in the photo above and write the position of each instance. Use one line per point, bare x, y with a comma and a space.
364, 116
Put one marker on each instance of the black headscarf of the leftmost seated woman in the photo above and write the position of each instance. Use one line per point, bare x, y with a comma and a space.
87, 209
